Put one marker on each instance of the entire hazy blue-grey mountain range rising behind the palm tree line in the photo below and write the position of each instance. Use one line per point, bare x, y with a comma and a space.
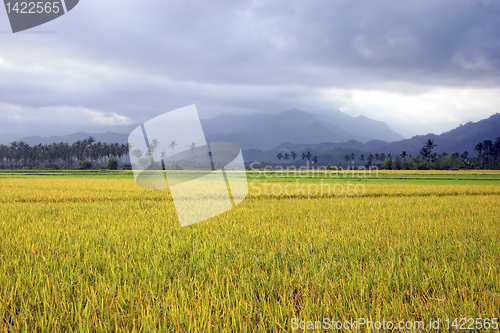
262, 136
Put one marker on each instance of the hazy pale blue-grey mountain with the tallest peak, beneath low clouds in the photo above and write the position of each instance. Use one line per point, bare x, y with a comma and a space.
264, 131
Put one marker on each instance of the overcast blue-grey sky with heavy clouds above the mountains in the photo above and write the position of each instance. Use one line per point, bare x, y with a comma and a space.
421, 66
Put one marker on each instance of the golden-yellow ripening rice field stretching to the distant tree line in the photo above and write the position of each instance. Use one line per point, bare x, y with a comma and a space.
93, 252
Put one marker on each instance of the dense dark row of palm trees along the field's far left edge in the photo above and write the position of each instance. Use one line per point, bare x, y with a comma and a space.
19, 154
